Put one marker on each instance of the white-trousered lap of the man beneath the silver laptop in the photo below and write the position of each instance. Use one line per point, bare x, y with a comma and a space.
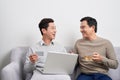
39, 76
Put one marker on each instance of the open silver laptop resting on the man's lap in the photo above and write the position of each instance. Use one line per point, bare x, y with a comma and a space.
59, 63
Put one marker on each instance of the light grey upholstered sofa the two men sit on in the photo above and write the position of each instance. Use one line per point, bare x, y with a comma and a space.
14, 70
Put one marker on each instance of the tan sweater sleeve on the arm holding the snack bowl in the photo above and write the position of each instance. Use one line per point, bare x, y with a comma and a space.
110, 59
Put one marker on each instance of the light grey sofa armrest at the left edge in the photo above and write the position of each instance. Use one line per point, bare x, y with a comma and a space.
11, 72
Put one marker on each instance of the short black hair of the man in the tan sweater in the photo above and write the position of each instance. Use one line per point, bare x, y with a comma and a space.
90, 21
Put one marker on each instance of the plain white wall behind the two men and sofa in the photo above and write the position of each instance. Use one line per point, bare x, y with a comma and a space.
19, 21
